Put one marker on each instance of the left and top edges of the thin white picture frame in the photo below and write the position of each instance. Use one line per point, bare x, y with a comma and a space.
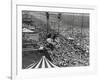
12, 77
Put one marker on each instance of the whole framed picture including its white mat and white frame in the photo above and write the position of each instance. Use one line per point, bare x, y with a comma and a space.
53, 40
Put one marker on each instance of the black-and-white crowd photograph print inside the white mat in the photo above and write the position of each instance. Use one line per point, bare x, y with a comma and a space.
55, 39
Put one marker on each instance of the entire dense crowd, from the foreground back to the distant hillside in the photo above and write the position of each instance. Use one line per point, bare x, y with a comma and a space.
66, 48
